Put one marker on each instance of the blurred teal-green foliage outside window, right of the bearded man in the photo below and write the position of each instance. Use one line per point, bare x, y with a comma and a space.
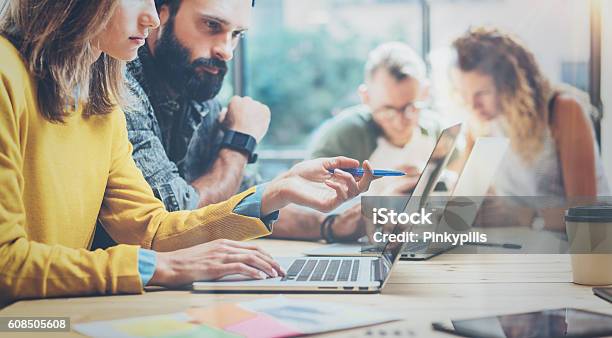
303, 77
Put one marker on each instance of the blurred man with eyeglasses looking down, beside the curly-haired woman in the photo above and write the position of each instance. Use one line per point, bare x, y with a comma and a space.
391, 127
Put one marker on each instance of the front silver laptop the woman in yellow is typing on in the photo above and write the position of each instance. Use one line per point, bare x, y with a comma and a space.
338, 274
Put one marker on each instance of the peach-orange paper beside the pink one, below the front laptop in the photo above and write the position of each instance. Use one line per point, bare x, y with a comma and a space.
220, 316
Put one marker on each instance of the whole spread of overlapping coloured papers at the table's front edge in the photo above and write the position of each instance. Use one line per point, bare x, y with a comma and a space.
265, 317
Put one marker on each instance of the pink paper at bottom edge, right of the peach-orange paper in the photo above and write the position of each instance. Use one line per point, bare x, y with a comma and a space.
262, 326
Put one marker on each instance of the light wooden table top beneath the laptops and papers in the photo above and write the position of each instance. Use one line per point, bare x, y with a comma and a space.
448, 286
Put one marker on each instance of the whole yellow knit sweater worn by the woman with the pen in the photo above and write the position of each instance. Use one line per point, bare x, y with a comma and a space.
57, 179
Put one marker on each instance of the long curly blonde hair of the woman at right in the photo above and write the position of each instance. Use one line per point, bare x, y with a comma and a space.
522, 89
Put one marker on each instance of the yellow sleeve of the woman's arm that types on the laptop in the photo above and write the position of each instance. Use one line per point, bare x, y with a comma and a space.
30, 269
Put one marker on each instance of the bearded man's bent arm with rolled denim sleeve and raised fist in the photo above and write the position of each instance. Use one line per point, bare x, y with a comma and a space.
217, 184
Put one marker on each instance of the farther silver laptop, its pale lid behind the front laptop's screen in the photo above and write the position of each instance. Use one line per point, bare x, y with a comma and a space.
474, 181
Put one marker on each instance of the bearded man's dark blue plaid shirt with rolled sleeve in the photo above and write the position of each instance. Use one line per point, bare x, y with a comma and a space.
175, 140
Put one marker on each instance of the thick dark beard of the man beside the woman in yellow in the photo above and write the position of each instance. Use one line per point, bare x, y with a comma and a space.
174, 61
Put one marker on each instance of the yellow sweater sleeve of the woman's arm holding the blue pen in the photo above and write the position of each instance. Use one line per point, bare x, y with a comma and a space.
131, 214
